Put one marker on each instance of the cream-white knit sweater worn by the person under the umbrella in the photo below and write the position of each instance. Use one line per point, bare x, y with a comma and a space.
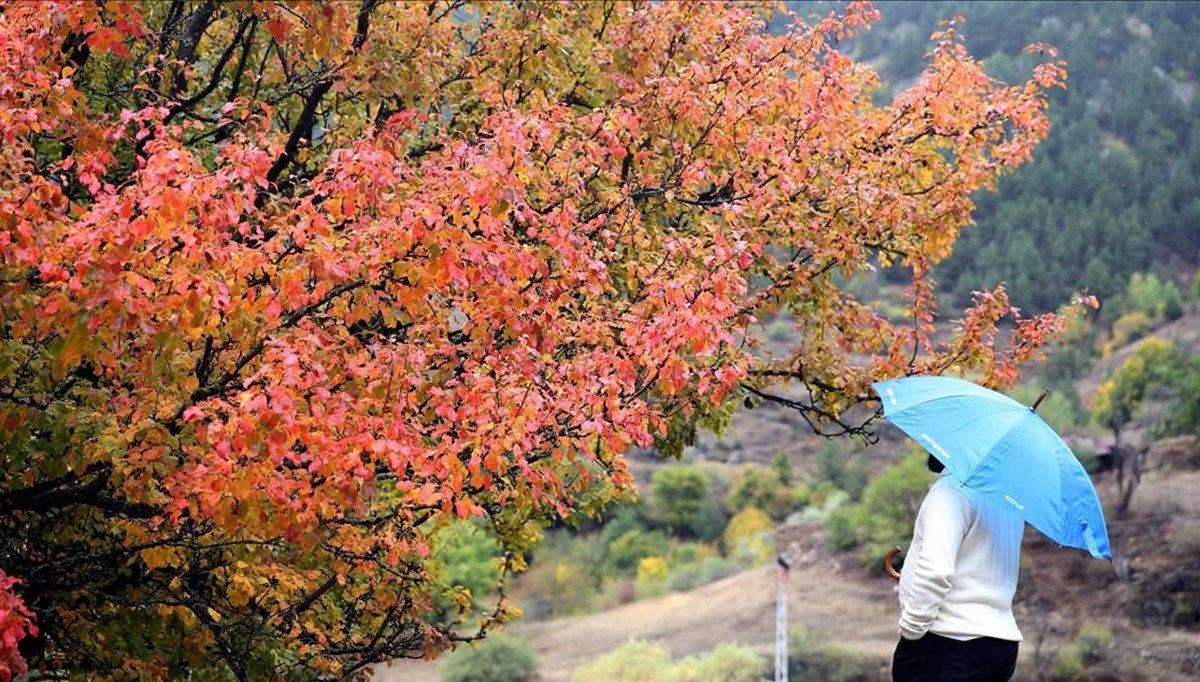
961, 573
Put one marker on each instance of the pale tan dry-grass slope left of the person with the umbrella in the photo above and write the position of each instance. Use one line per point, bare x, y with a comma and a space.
857, 614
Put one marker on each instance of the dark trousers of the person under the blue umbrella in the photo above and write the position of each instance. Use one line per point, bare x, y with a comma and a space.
934, 659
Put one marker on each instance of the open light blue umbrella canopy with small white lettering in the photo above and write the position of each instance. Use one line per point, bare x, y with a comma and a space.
999, 447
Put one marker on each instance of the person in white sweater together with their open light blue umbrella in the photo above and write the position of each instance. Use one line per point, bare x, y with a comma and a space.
1000, 466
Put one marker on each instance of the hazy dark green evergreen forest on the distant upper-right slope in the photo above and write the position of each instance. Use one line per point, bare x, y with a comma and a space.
1115, 189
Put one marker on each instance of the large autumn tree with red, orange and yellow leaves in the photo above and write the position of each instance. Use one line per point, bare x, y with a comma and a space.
287, 288
